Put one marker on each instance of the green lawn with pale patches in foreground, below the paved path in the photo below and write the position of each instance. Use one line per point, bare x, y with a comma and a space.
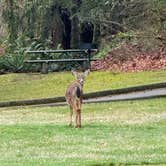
126, 133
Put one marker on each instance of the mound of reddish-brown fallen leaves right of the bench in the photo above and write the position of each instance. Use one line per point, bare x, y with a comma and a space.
131, 58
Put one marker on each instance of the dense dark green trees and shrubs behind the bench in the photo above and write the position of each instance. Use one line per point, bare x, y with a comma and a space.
62, 24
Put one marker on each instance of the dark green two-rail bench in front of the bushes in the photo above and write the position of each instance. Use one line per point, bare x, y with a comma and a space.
45, 62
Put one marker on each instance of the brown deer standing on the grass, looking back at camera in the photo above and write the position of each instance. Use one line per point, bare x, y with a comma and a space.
74, 96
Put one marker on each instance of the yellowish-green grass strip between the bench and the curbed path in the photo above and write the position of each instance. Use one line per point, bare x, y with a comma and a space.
31, 86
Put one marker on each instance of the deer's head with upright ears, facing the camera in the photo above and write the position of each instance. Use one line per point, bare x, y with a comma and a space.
80, 76
